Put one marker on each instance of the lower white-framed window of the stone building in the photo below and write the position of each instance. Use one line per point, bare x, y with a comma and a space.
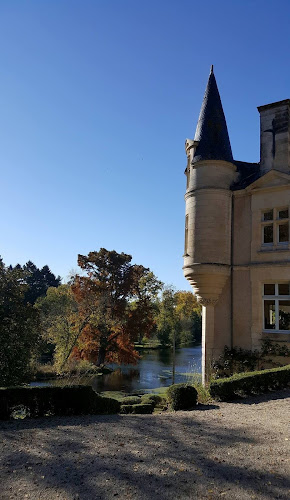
276, 307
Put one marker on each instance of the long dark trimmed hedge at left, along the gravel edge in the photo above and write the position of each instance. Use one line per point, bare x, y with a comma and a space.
42, 401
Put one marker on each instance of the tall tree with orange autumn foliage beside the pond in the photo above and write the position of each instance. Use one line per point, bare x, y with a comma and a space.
114, 300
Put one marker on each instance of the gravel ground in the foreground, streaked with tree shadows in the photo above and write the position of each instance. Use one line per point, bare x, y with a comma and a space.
228, 450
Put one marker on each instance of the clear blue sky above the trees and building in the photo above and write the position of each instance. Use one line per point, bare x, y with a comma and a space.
97, 99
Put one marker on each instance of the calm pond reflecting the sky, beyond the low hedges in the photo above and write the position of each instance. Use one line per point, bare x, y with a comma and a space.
154, 370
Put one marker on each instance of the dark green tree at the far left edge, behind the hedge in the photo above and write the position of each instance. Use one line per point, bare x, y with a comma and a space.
18, 327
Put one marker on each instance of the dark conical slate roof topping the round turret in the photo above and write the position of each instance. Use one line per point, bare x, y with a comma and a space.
211, 131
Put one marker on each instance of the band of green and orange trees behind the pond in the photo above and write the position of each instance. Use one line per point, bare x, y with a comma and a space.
97, 316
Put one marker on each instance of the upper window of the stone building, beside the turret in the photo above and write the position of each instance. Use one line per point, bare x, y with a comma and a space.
275, 227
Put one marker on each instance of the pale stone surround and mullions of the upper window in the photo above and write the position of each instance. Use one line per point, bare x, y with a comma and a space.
275, 222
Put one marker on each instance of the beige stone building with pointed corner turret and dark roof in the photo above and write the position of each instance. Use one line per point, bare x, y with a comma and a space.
237, 246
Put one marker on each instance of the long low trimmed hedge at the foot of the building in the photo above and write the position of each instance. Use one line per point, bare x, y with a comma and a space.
244, 384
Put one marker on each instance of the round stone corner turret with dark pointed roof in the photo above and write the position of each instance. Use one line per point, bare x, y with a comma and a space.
210, 172
